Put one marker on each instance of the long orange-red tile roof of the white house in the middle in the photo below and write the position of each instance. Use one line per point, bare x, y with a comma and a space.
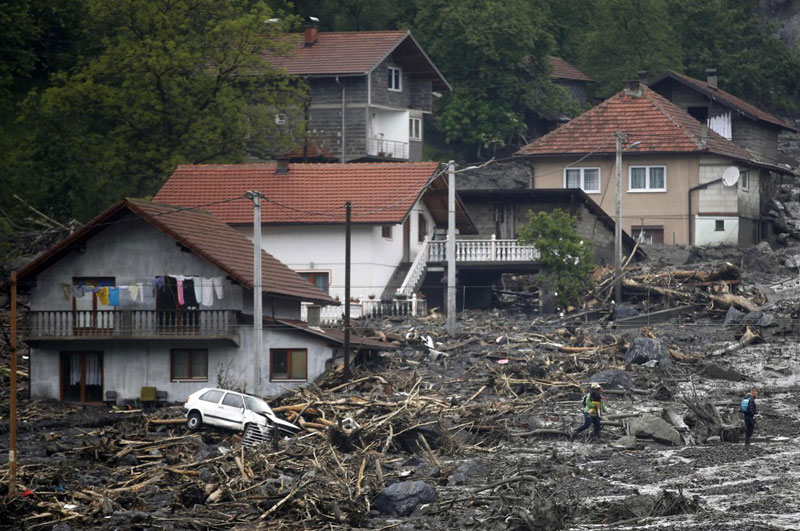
308, 194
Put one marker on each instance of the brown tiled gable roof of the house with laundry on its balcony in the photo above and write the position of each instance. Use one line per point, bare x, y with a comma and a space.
203, 235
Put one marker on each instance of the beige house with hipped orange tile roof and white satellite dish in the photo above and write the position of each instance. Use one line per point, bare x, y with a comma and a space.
682, 182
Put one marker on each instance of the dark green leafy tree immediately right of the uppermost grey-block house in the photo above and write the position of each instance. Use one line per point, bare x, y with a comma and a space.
495, 54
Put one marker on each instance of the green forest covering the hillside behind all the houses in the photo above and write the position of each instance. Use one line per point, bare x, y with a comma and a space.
102, 99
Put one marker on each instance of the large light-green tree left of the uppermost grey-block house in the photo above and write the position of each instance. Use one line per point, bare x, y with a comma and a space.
174, 81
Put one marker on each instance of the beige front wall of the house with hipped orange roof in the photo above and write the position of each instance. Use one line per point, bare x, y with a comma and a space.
664, 209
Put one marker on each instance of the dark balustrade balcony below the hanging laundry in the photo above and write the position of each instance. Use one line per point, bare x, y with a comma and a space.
131, 324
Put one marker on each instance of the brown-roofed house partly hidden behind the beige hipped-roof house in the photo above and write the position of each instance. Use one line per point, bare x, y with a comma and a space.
733, 118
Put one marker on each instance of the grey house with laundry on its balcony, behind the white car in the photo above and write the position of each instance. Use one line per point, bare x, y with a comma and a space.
150, 295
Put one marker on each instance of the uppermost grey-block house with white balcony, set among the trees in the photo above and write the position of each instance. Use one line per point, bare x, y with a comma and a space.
369, 92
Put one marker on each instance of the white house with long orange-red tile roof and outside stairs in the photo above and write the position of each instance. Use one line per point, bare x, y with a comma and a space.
395, 207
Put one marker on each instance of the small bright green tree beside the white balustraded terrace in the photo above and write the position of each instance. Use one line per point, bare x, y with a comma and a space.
565, 257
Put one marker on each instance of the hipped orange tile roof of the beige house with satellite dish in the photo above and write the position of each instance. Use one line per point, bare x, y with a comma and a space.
660, 126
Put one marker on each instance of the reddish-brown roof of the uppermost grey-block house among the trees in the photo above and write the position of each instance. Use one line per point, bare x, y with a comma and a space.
352, 52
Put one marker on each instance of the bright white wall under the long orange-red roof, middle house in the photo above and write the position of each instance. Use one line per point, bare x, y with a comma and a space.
308, 248
